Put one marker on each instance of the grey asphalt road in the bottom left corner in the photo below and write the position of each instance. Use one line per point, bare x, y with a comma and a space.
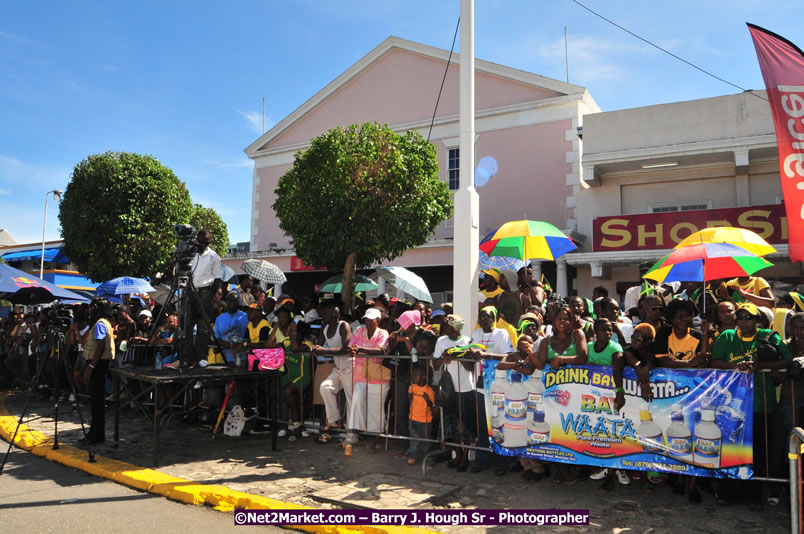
39, 496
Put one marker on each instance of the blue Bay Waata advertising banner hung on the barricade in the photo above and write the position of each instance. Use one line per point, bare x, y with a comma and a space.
700, 421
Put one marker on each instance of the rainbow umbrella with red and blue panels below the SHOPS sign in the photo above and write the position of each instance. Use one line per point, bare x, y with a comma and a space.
704, 262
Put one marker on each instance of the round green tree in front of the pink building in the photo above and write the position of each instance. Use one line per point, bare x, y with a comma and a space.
360, 195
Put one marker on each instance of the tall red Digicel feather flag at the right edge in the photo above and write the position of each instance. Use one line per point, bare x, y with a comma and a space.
782, 65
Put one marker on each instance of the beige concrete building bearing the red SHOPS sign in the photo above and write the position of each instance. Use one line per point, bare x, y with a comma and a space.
655, 174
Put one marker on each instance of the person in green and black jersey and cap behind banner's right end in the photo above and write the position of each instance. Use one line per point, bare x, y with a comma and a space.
737, 349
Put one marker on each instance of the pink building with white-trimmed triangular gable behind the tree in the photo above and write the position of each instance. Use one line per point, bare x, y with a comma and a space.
527, 123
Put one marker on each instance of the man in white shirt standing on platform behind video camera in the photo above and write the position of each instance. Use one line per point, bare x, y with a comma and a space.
207, 277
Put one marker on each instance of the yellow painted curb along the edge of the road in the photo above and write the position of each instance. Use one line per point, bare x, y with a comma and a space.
174, 488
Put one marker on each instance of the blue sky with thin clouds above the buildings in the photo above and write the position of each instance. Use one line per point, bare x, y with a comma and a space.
184, 81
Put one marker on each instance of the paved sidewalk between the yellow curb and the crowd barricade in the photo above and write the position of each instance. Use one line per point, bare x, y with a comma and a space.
320, 476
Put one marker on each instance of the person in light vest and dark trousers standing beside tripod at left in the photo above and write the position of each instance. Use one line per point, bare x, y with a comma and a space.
99, 352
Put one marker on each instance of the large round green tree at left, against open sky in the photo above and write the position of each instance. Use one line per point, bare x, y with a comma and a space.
117, 215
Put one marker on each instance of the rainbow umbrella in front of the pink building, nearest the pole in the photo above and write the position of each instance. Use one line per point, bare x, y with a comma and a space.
527, 240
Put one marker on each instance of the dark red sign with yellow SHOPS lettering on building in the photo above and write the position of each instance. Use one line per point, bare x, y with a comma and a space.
666, 230
